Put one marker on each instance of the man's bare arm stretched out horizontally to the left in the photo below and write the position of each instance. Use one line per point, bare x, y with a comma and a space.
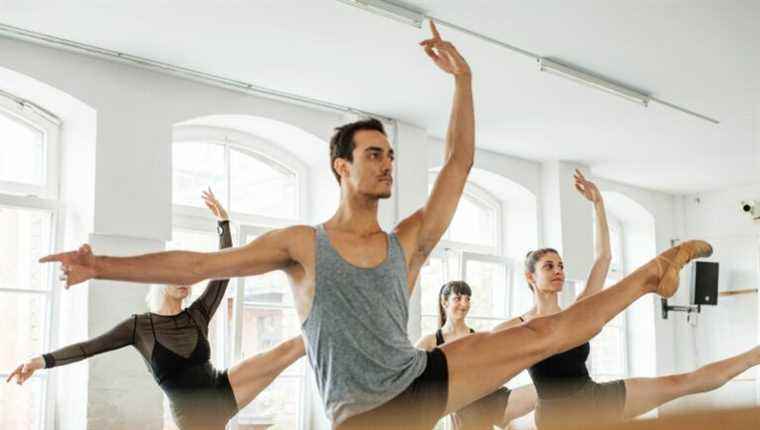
271, 251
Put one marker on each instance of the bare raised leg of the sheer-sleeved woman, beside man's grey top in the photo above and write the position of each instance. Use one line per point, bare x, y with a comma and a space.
252, 375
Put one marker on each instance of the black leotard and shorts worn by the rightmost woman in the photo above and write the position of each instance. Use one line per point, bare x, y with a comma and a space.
568, 396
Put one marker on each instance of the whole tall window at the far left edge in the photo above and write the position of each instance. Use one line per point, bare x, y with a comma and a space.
28, 192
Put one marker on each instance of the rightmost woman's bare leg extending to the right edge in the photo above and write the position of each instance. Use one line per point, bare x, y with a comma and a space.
645, 394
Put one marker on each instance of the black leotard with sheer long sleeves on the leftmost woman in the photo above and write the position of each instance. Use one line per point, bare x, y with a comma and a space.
177, 352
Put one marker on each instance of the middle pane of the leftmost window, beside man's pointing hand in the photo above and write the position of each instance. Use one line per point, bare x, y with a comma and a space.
24, 238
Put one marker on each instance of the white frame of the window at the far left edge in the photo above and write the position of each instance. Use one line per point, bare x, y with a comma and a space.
43, 198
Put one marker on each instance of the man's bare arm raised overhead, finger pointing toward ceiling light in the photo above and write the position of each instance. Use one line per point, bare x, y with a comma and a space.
423, 229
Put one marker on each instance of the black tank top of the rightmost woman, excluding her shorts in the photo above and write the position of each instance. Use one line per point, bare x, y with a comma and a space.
562, 374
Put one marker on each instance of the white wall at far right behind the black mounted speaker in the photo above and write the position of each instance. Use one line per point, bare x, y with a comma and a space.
732, 326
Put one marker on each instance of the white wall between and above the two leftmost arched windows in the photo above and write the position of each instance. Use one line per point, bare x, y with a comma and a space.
127, 196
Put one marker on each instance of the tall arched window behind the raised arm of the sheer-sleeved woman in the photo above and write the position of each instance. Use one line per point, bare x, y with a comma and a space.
261, 189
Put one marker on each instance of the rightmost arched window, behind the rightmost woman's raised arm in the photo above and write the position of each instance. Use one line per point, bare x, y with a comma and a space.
609, 349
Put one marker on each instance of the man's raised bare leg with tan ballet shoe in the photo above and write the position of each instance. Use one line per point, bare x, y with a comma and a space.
480, 363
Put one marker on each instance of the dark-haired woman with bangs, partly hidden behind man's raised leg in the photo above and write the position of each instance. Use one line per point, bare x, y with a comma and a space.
500, 407
